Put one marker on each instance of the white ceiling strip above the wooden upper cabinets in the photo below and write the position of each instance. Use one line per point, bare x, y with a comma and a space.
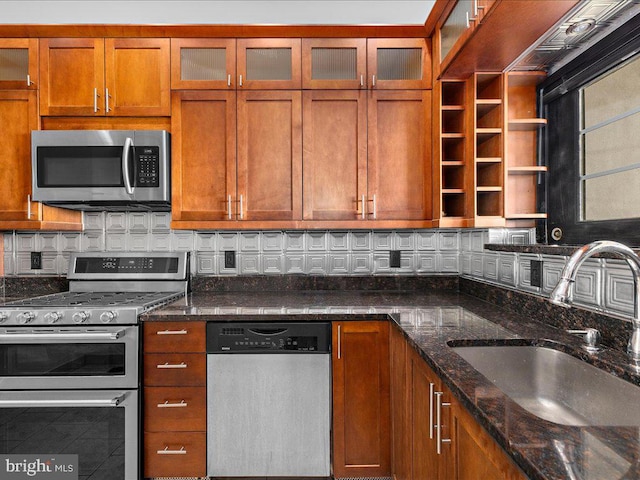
216, 12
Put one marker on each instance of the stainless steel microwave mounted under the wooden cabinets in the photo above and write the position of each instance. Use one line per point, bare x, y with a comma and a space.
102, 169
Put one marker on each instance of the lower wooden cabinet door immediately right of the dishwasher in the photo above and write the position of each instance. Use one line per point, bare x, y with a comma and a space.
361, 408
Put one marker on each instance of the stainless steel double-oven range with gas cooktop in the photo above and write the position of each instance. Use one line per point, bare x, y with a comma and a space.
69, 362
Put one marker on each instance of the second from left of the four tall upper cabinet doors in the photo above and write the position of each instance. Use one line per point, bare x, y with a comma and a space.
269, 155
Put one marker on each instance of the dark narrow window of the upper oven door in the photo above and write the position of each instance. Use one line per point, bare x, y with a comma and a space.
84, 359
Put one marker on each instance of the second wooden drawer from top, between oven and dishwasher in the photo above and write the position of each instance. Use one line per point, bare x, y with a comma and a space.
175, 369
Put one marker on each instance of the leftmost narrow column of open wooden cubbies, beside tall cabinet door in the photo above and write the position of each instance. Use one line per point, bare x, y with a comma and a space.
455, 200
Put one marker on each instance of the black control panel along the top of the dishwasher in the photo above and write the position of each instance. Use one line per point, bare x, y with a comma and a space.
268, 337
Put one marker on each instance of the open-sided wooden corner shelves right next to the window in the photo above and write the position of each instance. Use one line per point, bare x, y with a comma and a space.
523, 174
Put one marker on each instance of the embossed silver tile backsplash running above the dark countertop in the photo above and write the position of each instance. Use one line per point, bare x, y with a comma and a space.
602, 285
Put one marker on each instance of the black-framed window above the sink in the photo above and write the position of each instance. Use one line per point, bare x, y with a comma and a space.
592, 145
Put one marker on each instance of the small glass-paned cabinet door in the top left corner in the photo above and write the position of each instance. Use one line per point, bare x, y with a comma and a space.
19, 63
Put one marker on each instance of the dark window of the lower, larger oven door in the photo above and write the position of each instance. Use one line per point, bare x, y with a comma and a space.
96, 435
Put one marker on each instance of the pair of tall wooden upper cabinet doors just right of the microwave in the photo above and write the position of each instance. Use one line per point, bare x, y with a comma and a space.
238, 158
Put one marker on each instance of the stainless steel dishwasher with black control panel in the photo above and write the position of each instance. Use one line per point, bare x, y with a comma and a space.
268, 399
